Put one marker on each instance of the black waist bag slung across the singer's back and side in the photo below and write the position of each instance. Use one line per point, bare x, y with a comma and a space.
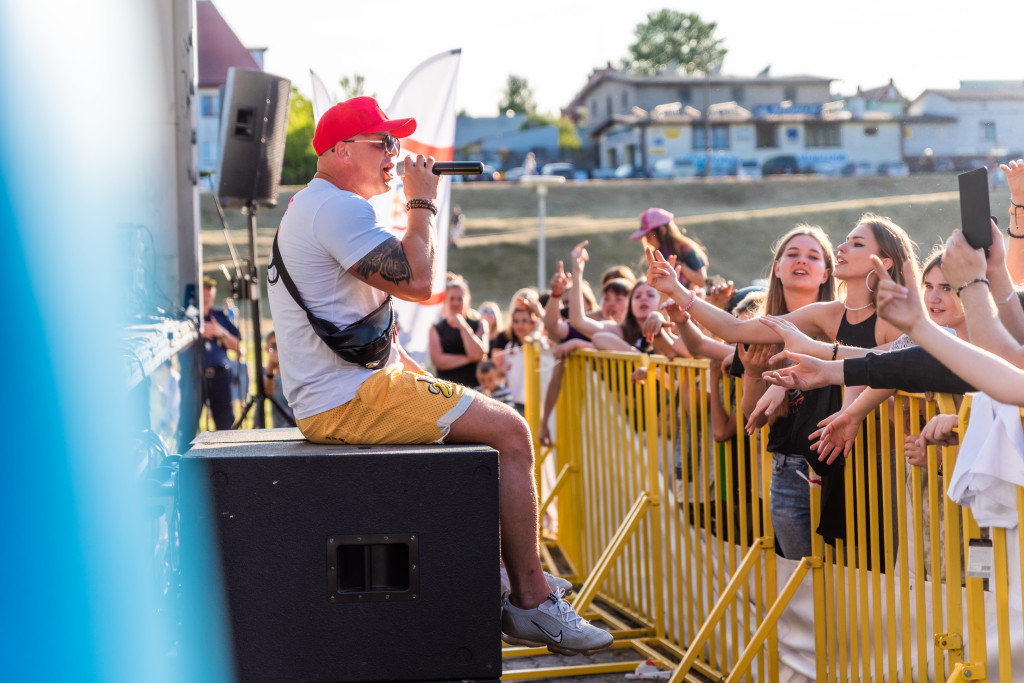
366, 343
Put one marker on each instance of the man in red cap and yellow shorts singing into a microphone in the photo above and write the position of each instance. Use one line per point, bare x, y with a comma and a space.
343, 266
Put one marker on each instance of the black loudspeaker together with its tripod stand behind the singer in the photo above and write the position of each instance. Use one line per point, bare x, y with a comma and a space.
253, 129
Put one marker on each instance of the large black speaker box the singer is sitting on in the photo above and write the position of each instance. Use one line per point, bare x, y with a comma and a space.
344, 563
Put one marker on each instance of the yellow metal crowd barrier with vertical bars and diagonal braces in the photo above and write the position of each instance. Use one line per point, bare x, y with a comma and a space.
669, 536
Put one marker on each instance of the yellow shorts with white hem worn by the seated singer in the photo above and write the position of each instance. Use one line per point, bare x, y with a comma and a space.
393, 407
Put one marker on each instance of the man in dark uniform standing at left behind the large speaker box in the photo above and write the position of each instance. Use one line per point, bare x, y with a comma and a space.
220, 336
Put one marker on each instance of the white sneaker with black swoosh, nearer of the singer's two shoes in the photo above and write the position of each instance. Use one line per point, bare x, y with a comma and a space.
554, 624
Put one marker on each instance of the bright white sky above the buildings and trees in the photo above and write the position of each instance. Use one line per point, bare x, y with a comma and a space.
556, 45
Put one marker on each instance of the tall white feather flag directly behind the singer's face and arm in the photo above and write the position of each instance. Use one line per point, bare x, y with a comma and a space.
429, 96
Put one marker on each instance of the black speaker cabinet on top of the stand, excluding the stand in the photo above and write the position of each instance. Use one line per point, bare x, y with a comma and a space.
253, 127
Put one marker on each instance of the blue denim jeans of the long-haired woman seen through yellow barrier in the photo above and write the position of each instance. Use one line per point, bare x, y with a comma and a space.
791, 505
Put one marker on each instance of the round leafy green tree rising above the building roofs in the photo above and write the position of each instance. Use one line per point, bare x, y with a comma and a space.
675, 38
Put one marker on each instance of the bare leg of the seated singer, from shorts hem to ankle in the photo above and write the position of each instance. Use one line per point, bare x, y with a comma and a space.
498, 425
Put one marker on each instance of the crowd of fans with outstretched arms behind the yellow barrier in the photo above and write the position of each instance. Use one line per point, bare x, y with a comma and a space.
862, 316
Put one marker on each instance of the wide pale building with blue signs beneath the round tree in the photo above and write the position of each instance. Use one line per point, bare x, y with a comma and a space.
733, 122
